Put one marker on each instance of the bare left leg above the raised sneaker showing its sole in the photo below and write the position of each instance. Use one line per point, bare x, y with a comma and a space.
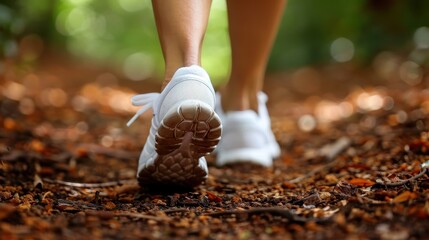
181, 28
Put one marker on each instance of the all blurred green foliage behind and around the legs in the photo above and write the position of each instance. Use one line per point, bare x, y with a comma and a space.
110, 31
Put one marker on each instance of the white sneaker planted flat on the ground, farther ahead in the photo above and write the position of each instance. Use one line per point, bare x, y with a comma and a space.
247, 136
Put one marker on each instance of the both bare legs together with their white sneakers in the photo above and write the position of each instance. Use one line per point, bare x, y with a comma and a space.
187, 123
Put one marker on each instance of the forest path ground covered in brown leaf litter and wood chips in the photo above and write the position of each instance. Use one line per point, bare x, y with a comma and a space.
354, 164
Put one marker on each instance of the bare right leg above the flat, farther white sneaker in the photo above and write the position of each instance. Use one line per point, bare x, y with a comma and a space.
253, 26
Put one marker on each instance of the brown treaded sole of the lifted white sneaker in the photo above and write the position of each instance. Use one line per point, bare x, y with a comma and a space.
187, 133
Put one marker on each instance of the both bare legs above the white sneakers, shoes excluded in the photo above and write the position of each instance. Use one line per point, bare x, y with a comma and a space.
253, 26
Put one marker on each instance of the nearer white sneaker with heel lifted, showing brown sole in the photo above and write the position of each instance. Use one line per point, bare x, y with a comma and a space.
184, 129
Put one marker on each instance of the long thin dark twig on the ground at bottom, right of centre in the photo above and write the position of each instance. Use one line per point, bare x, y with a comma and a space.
282, 212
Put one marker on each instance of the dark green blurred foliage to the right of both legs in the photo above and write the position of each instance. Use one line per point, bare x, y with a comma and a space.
309, 27
